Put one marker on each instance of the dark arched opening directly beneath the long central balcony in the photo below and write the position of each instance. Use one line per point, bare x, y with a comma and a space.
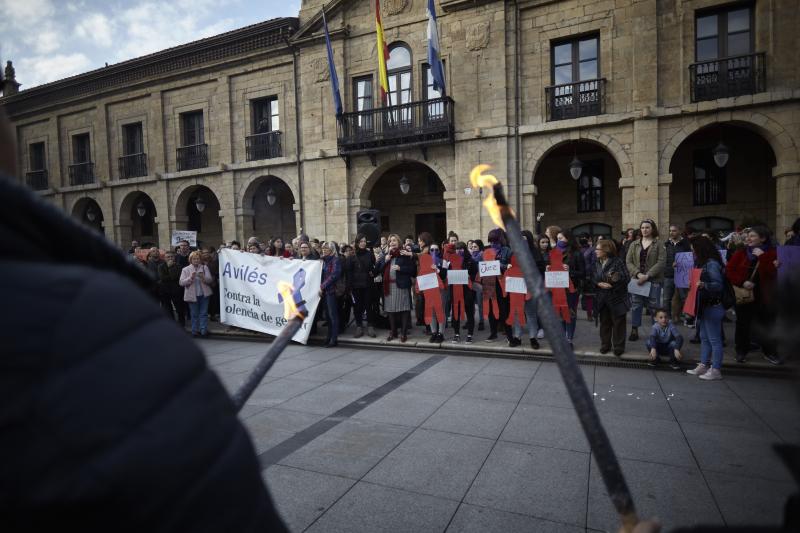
420, 208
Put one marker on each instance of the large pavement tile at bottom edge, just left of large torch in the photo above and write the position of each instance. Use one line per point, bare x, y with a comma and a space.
542, 482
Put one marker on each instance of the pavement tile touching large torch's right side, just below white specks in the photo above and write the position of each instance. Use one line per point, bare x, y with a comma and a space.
648, 439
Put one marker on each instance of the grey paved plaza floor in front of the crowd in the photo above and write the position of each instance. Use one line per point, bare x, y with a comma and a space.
354, 439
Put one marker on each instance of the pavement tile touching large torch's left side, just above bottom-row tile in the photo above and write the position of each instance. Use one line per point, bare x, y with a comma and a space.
554, 427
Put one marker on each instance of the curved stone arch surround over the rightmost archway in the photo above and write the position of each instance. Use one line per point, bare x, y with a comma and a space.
779, 139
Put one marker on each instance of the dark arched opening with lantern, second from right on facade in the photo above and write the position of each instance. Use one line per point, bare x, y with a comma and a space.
592, 203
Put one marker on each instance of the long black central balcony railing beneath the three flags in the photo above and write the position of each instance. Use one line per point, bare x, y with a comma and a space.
414, 124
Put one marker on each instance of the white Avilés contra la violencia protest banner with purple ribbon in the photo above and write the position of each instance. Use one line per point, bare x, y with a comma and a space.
248, 285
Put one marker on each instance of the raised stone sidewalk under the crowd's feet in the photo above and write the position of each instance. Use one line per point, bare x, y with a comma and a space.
586, 344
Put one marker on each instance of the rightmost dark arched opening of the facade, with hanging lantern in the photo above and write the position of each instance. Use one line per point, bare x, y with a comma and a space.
741, 191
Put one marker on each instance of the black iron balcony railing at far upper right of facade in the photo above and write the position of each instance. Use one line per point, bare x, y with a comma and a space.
730, 76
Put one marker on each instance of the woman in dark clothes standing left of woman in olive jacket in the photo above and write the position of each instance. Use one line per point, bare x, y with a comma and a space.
611, 303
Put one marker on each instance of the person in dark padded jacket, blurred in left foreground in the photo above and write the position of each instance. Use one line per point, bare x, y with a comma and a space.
140, 433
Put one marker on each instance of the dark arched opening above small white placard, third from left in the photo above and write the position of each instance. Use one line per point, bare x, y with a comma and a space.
200, 209
